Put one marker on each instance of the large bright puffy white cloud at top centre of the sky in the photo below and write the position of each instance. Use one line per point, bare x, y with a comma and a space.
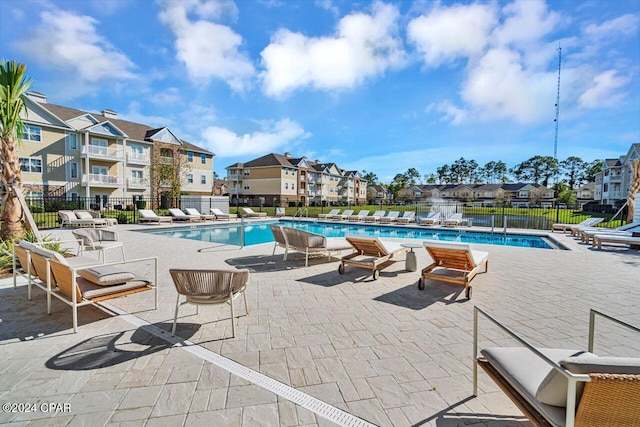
364, 46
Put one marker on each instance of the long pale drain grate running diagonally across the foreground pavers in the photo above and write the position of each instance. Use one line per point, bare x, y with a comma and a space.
304, 400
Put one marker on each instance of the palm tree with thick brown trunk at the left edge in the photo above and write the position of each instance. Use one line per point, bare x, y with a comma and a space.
13, 88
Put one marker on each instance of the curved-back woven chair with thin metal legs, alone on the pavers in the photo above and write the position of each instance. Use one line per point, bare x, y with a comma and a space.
210, 287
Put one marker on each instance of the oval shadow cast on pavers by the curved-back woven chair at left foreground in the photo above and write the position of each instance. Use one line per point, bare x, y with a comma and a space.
111, 349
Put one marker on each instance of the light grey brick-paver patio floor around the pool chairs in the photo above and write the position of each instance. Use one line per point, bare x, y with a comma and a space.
360, 351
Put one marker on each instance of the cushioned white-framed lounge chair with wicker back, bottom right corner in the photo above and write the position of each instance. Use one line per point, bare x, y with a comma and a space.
562, 387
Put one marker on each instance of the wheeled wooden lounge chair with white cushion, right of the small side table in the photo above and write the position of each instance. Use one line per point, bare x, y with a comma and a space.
453, 263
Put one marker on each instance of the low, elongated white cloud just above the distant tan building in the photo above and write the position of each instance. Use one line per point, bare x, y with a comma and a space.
271, 137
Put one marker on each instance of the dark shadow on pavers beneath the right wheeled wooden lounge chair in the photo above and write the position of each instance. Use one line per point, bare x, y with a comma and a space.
413, 298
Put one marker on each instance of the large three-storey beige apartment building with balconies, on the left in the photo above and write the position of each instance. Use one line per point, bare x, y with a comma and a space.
72, 153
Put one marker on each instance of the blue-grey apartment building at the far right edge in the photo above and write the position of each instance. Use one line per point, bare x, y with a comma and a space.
613, 182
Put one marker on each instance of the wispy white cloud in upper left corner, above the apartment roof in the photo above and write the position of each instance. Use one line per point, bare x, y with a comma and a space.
70, 42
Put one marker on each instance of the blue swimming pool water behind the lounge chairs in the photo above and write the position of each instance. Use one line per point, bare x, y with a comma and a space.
256, 233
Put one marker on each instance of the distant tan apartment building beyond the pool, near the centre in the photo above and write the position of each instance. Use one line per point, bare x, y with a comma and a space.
280, 179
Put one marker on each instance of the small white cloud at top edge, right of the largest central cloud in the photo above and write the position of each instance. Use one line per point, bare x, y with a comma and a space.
448, 33
